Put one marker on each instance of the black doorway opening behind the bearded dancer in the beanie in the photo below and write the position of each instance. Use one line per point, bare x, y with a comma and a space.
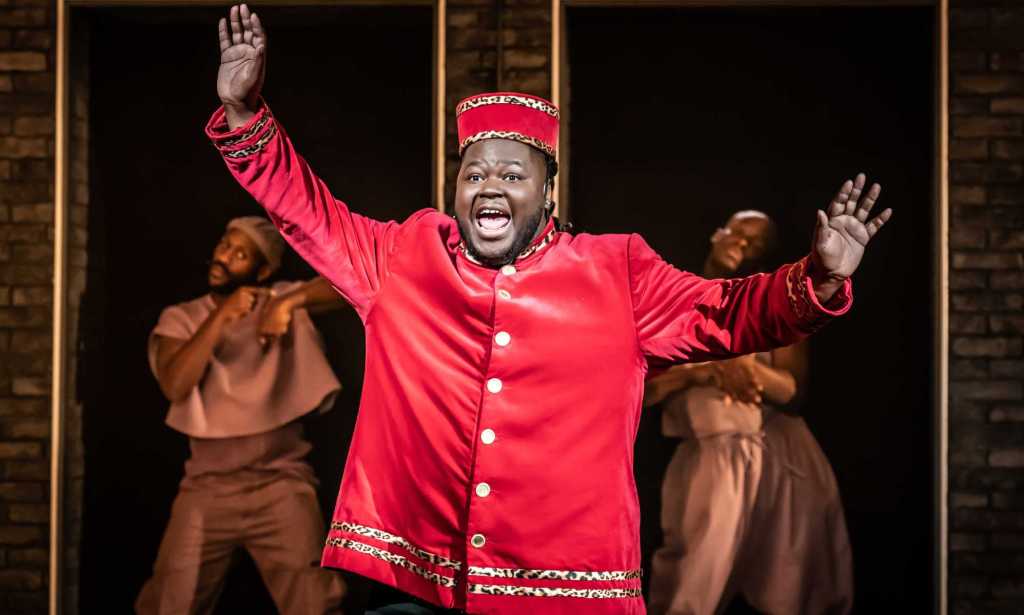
354, 89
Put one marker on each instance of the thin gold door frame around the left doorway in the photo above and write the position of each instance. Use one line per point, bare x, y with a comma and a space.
62, 208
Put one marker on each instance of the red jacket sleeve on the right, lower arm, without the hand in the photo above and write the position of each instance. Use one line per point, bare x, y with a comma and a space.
685, 318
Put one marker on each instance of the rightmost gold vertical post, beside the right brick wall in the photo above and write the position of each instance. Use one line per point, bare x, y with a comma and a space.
943, 298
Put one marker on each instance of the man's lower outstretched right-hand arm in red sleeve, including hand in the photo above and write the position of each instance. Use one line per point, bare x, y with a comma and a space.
682, 318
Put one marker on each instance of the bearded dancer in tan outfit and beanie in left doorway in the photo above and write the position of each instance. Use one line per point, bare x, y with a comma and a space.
241, 366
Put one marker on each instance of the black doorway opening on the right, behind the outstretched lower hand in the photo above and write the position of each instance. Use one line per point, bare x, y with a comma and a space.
681, 117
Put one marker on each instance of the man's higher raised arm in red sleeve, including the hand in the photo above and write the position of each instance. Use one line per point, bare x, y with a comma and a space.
349, 250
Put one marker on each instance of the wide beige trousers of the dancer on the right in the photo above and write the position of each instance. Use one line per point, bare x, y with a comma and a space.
753, 515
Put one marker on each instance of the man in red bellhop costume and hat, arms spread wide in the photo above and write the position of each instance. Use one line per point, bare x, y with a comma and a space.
491, 470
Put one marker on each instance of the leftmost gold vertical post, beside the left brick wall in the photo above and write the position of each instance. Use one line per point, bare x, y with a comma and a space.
60, 307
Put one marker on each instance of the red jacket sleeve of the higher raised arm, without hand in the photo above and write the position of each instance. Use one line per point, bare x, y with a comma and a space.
350, 250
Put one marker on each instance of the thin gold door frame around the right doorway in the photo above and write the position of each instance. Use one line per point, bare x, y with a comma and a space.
941, 246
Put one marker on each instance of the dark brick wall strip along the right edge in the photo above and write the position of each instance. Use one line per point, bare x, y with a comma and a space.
987, 425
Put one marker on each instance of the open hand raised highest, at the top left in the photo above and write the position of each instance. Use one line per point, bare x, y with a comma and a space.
243, 60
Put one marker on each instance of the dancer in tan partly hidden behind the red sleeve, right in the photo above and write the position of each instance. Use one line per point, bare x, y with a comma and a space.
750, 503
